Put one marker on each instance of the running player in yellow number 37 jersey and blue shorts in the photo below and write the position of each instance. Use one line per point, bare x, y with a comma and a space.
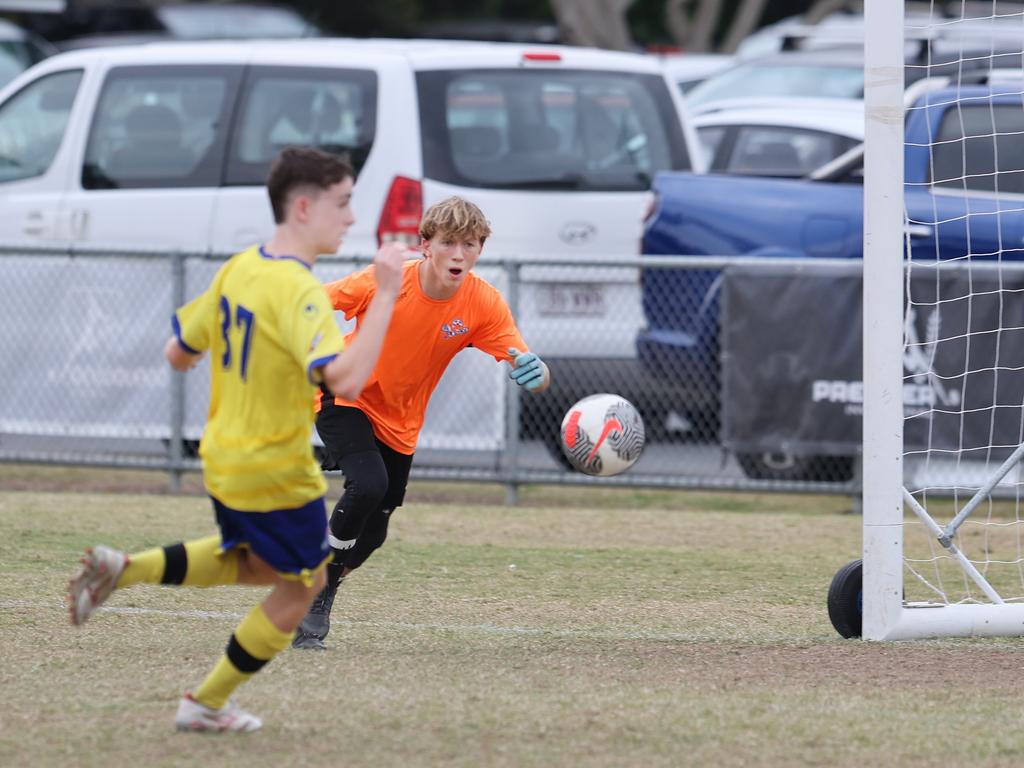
271, 332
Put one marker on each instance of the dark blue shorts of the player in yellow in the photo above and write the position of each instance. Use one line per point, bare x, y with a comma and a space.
293, 542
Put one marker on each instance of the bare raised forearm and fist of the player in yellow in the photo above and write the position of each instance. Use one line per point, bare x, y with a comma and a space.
347, 374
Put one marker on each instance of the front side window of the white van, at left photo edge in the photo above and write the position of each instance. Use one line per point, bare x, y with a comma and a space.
33, 123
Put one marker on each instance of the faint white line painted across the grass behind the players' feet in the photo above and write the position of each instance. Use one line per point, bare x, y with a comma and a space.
486, 629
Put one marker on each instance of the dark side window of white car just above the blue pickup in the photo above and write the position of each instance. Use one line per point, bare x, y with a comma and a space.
779, 151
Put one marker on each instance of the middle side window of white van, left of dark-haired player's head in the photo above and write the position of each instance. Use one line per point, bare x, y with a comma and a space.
160, 127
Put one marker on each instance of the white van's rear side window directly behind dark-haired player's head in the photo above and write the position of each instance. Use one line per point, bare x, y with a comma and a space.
334, 110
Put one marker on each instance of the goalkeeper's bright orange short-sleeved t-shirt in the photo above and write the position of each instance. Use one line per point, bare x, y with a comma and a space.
425, 334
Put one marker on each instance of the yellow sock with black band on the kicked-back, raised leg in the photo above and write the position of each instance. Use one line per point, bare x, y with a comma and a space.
196, 564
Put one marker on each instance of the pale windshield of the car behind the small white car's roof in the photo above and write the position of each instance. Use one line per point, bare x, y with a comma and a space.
760, 80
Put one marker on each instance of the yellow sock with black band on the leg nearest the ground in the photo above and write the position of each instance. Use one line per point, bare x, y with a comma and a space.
254, 644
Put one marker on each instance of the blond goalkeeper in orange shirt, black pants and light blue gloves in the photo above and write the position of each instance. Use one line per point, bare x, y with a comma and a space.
443, 309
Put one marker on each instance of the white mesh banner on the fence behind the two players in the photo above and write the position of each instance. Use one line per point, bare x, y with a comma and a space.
82, 345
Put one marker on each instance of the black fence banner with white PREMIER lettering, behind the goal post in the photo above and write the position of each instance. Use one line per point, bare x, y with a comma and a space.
792, 342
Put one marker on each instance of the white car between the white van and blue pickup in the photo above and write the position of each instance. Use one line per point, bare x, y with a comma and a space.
779, 138
